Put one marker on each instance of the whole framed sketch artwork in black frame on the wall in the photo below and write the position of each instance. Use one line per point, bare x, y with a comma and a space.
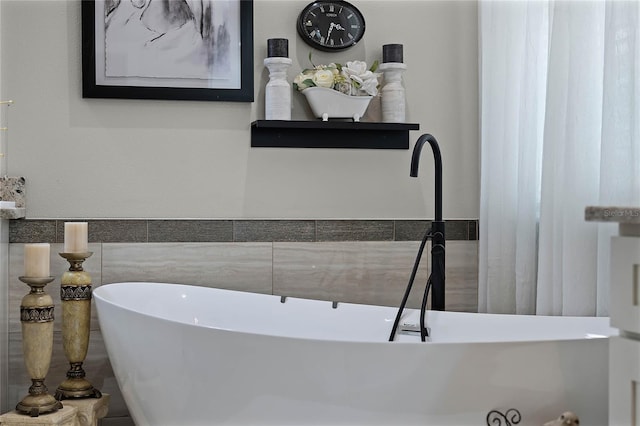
168, 49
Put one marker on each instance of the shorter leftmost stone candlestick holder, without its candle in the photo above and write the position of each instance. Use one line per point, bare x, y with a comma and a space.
36, 316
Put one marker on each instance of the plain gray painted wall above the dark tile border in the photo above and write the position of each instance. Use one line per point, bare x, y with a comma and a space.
100, 158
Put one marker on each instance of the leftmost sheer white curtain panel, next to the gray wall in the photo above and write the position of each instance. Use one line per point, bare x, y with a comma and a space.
513, 84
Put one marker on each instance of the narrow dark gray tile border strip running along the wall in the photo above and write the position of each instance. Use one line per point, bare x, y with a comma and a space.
149, 231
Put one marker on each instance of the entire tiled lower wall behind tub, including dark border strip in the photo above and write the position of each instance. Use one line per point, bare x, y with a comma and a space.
348, 261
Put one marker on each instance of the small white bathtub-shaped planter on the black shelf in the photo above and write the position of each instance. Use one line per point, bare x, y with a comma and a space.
328, 103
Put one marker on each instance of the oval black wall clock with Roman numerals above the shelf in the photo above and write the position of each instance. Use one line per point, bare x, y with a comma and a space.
331, 25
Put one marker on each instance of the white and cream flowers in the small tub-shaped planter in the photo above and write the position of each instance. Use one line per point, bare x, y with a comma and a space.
352, 78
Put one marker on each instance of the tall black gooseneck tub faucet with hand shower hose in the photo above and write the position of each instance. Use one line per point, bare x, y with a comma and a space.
436, 235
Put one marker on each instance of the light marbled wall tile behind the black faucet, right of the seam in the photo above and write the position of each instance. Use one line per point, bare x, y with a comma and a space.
373, 273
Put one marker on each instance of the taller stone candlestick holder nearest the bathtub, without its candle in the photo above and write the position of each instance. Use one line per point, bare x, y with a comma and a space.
75, 295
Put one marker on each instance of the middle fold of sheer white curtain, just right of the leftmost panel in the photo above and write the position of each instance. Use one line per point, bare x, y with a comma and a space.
570, 166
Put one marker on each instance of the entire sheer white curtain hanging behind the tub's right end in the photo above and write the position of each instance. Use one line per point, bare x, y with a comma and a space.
560, 119
